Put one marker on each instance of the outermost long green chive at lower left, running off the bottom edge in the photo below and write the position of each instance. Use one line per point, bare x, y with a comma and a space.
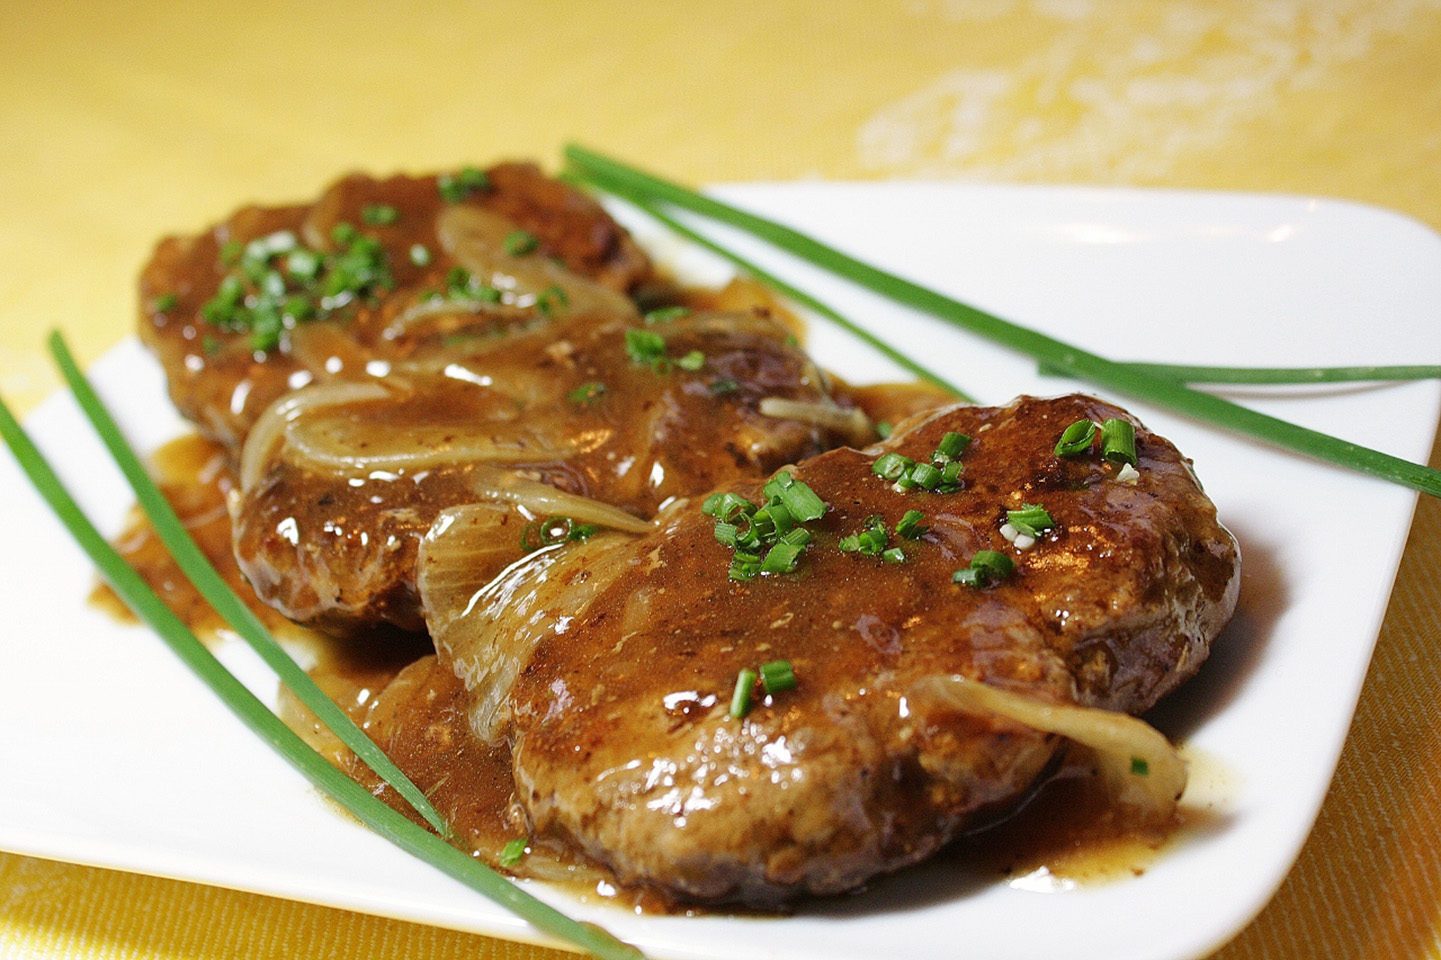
260, 720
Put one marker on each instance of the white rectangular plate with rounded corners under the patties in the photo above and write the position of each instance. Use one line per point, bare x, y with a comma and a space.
115, 756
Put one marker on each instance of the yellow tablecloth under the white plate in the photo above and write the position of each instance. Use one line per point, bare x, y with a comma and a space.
123, 122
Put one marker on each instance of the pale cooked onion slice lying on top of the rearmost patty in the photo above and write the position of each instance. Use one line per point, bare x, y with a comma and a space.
476, 239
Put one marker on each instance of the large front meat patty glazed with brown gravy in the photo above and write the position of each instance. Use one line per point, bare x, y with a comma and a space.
609, 667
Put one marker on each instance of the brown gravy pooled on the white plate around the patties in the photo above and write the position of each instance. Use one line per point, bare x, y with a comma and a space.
1069, 834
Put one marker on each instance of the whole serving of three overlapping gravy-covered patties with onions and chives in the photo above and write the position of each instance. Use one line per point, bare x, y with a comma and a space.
694, 626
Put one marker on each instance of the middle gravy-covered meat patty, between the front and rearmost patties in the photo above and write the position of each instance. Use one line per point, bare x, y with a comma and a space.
341, 482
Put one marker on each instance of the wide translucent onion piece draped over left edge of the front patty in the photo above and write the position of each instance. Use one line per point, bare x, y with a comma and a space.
489, 628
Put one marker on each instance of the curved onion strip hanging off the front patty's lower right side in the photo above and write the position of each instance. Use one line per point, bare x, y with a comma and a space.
1142, 768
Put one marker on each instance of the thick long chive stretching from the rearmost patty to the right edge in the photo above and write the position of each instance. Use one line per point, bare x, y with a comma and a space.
632, 184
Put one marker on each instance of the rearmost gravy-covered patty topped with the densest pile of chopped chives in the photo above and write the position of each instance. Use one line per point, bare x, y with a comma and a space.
277, 298
